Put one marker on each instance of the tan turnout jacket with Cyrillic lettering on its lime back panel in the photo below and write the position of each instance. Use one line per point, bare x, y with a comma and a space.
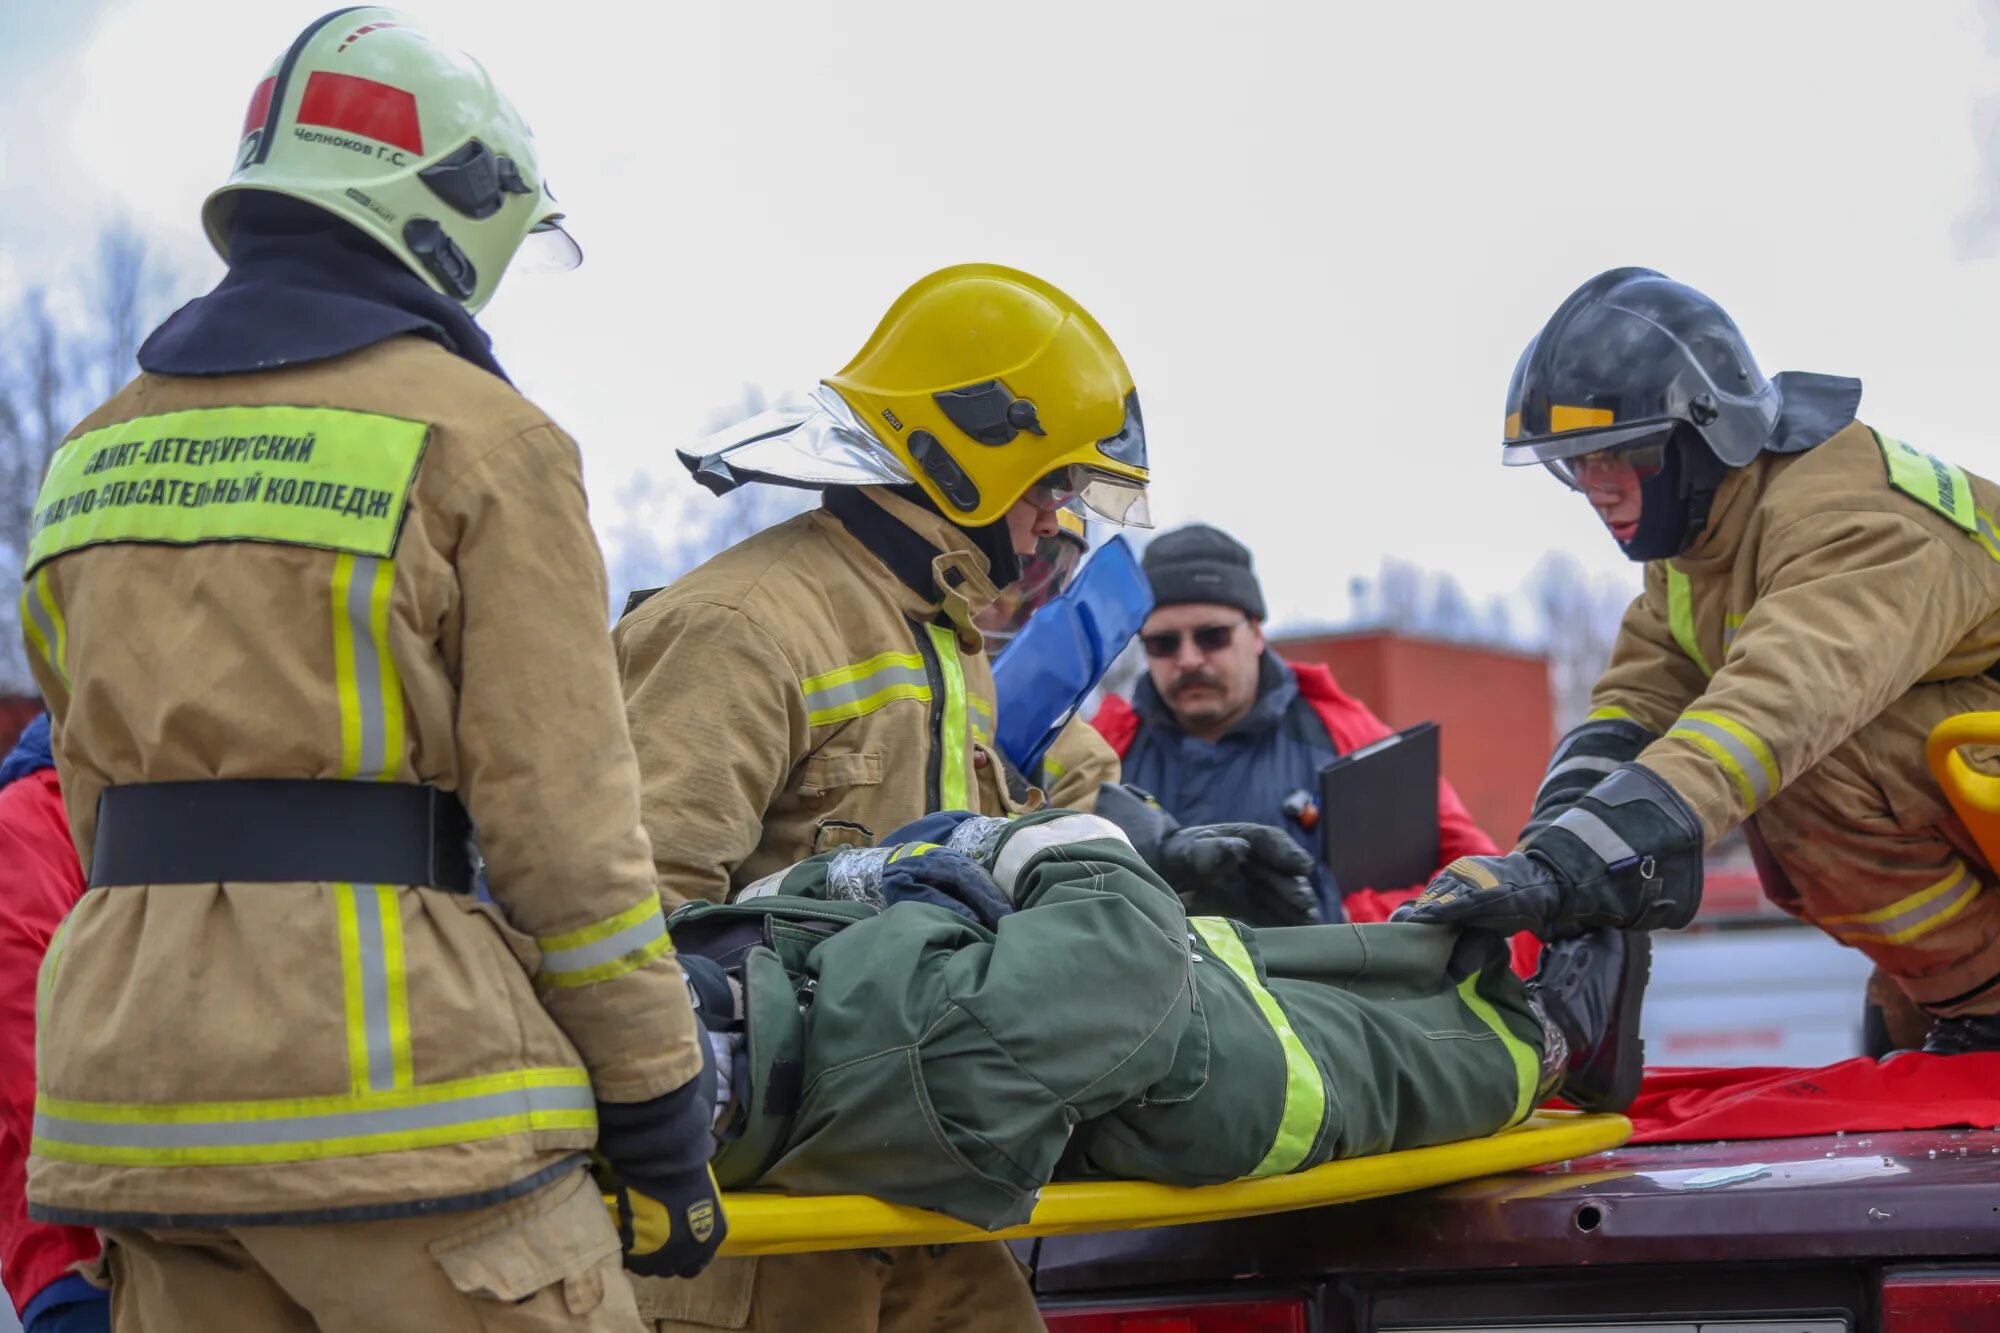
377, 569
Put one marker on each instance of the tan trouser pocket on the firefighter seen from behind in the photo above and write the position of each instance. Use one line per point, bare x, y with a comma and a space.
557, 1246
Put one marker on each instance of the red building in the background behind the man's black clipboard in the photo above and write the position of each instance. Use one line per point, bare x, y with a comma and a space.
1491, 708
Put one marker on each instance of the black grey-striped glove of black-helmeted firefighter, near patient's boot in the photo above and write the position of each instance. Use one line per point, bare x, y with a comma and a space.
1627, 854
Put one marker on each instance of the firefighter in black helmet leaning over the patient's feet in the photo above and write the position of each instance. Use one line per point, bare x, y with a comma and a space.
1819, 595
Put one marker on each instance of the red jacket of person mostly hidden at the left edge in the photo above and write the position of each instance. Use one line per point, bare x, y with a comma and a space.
41, 882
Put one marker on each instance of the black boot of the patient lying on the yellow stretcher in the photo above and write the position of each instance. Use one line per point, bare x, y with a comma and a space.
1591, 990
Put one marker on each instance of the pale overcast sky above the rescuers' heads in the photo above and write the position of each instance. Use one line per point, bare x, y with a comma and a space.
1321, 233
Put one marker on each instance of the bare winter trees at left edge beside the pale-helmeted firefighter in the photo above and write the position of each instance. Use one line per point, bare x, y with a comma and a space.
53, 371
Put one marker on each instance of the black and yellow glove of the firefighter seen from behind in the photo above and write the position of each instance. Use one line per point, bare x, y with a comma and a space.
653, 1168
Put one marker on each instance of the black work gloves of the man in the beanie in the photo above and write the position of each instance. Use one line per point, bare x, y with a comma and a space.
1255, 866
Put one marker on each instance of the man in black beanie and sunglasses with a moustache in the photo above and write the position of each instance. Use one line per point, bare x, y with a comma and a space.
1223, 730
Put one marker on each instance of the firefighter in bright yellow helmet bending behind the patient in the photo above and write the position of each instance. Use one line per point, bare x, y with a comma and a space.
857, 694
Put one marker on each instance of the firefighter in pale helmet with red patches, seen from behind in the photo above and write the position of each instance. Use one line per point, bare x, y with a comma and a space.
315, 601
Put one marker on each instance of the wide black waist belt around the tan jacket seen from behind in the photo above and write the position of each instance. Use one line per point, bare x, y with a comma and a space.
281, 832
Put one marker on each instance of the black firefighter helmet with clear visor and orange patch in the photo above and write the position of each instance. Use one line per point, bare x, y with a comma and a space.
1649, 371
